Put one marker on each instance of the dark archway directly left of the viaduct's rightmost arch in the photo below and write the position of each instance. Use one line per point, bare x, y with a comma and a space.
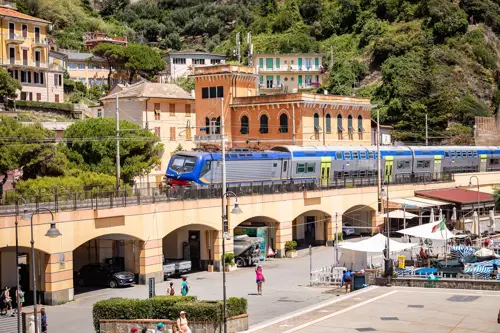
311, 228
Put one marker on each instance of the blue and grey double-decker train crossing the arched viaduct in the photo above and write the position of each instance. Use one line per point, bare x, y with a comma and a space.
328, 164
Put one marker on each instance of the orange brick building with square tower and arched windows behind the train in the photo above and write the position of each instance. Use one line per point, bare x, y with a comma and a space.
265, 121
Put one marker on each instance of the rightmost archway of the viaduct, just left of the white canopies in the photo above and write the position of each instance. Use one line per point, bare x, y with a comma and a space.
358, 220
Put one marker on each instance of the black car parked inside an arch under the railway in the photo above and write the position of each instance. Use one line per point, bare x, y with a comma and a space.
104, 275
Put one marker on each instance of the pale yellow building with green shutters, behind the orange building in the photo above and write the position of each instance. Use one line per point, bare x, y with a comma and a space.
289, 73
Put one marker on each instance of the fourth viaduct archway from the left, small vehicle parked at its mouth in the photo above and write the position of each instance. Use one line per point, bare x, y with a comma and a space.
261, 230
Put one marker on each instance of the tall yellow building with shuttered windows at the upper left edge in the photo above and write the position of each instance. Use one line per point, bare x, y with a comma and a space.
25, 54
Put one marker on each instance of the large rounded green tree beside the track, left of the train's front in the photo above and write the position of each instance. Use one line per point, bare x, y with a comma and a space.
91, 145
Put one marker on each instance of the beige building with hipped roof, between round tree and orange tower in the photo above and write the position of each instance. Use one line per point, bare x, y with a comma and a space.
165, 109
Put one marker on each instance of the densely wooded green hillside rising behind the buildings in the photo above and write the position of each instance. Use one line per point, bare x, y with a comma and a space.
434, 57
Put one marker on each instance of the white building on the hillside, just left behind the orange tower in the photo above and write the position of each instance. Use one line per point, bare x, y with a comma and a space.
182, 63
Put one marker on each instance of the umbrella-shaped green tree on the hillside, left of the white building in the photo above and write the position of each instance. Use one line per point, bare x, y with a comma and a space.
141, 59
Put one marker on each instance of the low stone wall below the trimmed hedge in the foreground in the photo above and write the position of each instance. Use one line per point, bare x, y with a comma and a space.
234, 324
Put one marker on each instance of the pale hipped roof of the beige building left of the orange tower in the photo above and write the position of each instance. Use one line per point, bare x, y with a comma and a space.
146, 89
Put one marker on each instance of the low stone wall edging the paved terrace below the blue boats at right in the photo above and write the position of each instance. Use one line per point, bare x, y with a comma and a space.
443, 283
